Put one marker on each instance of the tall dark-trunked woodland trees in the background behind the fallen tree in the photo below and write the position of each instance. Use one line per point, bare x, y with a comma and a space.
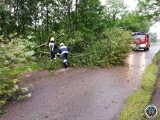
41, 17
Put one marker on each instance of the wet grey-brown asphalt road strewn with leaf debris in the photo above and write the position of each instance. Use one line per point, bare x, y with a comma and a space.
81, 93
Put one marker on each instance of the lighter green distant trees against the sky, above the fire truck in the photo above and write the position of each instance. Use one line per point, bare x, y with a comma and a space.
117, 15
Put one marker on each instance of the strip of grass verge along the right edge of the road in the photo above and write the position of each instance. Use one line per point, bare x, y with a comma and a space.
137, 102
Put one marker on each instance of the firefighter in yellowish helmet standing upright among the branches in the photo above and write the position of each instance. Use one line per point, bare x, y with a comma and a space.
53, 47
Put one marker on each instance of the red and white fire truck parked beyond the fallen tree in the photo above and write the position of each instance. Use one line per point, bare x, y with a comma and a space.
141, 41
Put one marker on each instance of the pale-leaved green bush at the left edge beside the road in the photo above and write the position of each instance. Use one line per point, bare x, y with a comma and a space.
14, 60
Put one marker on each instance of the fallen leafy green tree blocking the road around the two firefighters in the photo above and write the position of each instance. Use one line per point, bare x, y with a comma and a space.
109, 48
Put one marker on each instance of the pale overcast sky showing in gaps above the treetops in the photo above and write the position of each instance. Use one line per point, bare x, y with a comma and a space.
132, 6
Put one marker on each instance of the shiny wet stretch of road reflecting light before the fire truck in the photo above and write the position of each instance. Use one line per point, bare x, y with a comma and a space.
137, 62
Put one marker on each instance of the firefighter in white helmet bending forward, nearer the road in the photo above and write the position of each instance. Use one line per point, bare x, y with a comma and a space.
63, 50
